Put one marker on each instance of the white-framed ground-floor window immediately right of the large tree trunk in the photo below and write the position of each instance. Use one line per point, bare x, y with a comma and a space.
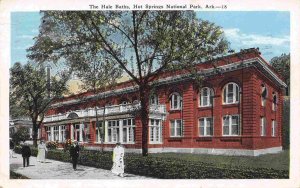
155, 130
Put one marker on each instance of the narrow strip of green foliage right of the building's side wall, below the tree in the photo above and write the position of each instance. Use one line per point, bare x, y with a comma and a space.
286, 124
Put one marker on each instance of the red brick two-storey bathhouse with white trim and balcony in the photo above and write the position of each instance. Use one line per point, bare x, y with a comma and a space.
236, 111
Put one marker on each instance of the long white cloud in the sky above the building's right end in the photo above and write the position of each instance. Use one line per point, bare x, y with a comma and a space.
235, 35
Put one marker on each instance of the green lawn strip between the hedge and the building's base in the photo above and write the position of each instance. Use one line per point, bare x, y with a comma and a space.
278, 161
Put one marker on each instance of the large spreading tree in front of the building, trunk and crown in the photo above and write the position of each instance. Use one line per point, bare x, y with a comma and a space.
143, 43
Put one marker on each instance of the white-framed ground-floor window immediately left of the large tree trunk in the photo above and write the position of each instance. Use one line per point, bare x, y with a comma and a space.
128, 130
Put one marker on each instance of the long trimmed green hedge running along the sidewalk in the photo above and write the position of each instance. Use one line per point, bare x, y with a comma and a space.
158, 167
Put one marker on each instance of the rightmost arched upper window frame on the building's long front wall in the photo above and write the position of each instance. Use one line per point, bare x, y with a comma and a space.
235, 93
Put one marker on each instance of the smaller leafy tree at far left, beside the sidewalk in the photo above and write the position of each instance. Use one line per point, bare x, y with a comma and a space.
30, 92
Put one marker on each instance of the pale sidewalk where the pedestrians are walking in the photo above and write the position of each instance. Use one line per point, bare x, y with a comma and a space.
60, 170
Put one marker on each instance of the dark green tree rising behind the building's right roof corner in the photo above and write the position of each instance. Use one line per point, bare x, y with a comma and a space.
282, 65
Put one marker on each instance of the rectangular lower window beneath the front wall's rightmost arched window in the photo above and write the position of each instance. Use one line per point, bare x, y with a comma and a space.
231, 125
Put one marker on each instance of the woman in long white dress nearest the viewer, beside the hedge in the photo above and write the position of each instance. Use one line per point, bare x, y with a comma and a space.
118, 160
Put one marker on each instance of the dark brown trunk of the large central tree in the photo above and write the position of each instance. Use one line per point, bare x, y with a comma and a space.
144, 114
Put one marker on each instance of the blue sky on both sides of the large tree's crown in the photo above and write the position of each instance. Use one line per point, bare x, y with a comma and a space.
270, 31
